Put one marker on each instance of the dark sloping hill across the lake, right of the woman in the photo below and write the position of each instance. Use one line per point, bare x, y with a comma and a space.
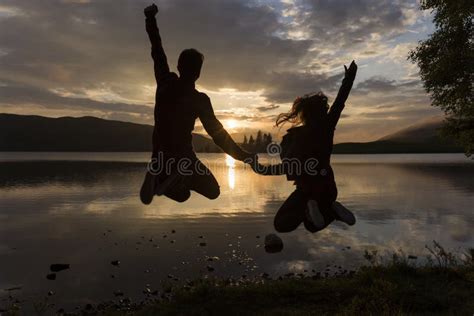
419, 138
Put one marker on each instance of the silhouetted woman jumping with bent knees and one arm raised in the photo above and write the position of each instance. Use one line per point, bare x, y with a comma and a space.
314, 200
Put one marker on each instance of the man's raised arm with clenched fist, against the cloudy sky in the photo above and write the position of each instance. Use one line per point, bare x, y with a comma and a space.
157, 51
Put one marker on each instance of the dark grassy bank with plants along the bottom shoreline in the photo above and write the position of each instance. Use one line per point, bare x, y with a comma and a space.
440, 284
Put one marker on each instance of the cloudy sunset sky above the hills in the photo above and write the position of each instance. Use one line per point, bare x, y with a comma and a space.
92, 58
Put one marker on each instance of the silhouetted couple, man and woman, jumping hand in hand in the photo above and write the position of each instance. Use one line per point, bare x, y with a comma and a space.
179, 104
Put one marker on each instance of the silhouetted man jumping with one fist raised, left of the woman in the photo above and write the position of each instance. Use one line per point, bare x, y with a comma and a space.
178, 105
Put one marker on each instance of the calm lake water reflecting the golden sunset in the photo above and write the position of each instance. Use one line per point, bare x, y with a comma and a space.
83, 209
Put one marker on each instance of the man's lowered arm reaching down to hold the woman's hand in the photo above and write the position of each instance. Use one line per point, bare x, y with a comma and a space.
220, 136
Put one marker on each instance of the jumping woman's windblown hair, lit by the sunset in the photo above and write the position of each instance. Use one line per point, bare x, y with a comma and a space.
302, 107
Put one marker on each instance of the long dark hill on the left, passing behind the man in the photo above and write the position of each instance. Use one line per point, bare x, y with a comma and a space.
37, 133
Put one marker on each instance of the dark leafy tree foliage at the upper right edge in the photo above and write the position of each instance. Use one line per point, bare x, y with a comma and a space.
446, 62
